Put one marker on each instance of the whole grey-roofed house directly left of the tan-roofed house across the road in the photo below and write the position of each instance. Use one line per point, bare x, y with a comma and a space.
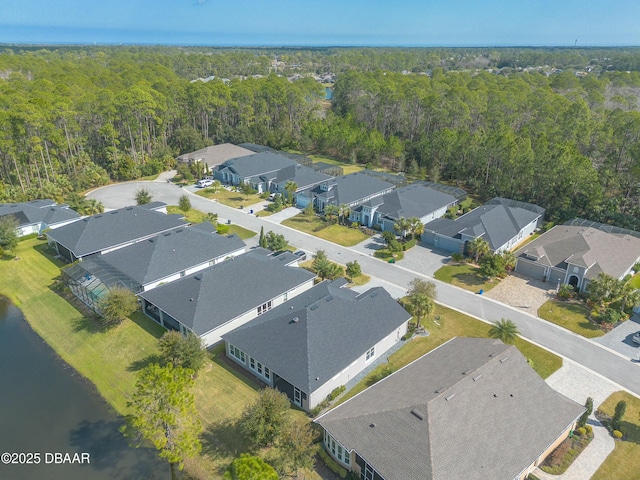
503, 223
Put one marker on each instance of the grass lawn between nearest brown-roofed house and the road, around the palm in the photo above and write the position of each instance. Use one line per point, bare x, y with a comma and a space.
443, 326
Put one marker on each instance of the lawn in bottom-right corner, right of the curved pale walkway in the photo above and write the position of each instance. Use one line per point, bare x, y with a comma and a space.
624, 461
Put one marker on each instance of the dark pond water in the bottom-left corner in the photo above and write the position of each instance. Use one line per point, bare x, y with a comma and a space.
52, 416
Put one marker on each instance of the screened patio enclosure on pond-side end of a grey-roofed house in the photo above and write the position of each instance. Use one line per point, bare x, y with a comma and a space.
92, 278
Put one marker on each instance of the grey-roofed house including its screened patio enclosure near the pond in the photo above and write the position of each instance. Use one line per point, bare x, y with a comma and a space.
149, 263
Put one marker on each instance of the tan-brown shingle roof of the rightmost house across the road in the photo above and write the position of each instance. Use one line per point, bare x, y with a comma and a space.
589, 247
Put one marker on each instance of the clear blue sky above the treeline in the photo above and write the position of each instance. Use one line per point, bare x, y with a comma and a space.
327, 23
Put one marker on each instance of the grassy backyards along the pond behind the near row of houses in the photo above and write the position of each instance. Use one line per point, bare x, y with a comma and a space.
110, 358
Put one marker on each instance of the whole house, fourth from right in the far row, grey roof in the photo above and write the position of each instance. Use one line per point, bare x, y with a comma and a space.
354, 190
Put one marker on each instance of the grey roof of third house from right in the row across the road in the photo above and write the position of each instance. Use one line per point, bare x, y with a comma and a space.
414, 201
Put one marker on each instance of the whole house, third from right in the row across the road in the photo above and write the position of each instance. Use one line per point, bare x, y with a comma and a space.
410, 201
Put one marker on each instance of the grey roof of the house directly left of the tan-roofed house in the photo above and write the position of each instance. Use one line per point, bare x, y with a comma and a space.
497, 221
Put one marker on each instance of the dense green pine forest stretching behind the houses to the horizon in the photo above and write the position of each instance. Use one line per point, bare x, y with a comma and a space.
74, 118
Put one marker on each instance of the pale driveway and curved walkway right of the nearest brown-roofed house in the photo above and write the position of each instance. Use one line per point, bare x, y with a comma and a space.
578, 383
